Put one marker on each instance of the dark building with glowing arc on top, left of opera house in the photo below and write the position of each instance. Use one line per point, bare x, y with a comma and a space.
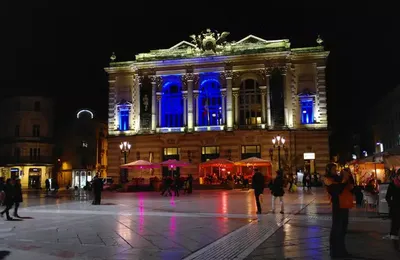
82, 150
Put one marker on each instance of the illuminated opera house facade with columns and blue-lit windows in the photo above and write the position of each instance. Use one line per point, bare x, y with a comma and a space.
210, 98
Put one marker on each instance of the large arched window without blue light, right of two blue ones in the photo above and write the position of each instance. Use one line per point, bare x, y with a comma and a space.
249, 103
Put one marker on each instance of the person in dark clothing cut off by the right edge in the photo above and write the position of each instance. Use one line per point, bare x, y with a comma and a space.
393, 200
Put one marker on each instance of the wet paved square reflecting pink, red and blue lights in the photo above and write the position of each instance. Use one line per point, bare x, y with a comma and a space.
148, 226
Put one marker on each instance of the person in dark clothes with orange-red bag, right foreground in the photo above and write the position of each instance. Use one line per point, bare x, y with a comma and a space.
339, 187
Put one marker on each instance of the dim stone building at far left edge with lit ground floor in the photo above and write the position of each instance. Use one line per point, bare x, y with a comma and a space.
26, 139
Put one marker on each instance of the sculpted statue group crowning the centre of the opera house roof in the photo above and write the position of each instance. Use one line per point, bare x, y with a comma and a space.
209, 41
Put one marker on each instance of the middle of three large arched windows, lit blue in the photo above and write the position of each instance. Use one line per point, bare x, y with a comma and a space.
210, 103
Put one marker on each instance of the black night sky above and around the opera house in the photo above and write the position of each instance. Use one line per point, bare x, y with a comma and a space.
61, 50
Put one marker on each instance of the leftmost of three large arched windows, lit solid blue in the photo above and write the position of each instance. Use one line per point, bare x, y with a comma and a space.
172, 105
